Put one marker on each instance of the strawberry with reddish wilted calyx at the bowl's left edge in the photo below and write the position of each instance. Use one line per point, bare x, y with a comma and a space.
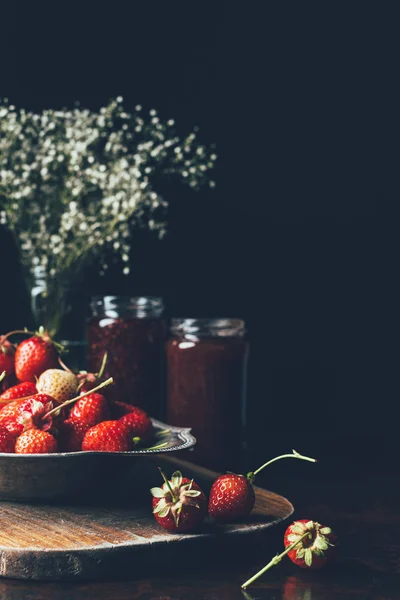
26, 413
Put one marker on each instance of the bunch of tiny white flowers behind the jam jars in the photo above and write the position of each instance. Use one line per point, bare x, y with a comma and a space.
74, 183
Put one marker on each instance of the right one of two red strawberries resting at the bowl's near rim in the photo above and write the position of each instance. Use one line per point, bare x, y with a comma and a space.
108, 436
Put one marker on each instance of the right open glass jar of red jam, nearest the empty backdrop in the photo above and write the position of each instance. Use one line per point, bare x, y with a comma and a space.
206, 373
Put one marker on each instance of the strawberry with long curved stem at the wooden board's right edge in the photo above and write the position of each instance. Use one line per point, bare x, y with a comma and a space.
232, 496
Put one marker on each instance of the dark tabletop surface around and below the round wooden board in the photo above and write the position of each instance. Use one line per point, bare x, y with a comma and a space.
361, 505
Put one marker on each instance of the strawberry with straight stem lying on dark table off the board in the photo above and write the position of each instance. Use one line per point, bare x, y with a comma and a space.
308, 544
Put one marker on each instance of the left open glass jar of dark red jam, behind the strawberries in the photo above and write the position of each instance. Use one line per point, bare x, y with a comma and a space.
132, 332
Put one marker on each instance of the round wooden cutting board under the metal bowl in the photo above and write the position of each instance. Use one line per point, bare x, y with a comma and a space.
53, 542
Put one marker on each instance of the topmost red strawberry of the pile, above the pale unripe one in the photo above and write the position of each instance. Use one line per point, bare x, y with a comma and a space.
35, 355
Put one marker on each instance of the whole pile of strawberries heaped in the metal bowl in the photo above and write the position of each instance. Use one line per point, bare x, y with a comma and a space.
46, 409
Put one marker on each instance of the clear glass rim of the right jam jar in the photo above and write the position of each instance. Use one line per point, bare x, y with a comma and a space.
214, 327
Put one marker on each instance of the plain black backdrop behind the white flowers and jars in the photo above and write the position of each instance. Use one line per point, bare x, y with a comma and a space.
296, 239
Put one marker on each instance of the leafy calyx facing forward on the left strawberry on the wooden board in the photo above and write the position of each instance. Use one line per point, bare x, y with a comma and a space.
174, 496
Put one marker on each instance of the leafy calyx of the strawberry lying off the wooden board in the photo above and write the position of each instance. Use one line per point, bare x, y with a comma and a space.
317, 542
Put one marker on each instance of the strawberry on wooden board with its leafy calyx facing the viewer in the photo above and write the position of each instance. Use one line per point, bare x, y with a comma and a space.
179, 505
